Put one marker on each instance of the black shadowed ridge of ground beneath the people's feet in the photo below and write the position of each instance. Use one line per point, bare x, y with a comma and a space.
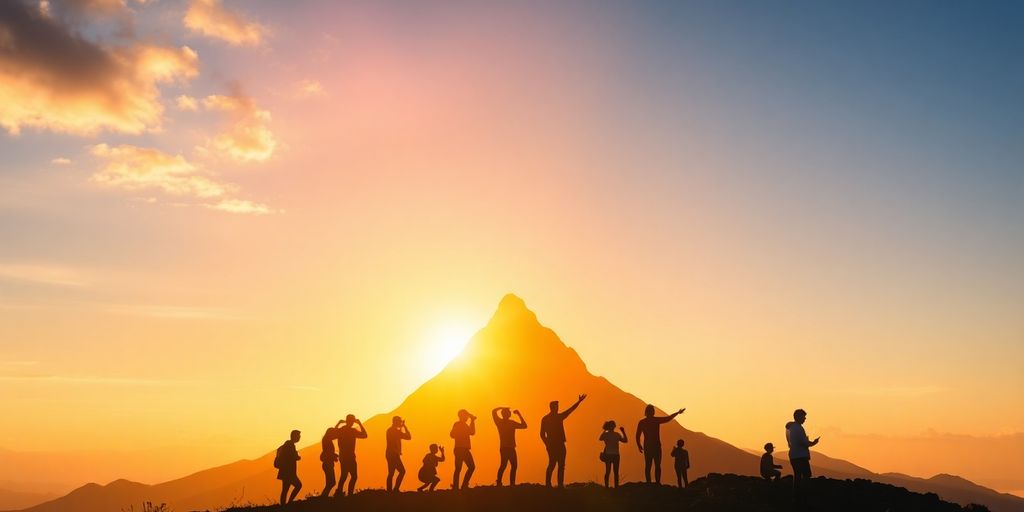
716, 493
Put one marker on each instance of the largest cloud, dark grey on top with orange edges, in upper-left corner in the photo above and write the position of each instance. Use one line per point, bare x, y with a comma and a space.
52, 78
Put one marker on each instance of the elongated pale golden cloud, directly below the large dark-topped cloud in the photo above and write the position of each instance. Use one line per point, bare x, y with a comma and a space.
135, 168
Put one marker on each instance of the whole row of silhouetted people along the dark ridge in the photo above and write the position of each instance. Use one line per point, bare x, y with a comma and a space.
648, 437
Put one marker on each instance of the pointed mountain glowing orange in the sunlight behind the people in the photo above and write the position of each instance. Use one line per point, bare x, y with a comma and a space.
516, 362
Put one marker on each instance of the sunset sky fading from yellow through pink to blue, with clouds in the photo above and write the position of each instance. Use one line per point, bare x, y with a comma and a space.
221, 221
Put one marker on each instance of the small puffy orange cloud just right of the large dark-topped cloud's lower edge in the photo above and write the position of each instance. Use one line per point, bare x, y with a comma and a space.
248, 139
